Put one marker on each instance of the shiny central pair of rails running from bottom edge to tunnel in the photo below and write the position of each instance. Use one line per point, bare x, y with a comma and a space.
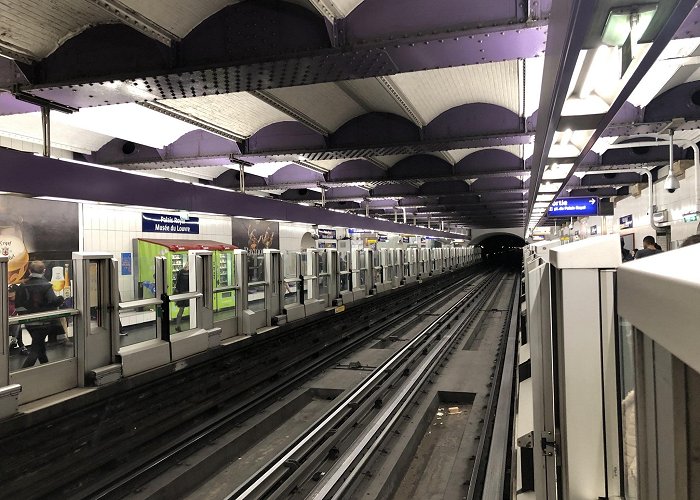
325, 461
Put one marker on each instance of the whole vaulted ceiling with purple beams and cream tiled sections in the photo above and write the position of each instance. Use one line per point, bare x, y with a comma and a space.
377, 106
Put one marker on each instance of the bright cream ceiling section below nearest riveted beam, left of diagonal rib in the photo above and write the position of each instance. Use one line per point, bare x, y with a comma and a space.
239, 112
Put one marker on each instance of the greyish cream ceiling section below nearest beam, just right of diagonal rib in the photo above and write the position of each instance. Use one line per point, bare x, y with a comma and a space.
324, 103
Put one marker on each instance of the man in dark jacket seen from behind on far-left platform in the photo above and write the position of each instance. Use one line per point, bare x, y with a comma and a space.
36, 294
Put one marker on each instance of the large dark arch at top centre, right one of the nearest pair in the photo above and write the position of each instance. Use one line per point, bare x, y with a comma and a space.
260, 29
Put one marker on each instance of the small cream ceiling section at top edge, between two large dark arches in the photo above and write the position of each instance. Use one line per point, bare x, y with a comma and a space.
177, 16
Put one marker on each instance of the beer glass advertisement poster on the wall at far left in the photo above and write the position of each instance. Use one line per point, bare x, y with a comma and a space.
32, 229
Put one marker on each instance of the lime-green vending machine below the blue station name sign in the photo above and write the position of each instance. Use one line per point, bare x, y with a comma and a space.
175, 252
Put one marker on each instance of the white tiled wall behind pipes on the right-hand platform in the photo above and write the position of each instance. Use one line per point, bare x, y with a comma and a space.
677, 203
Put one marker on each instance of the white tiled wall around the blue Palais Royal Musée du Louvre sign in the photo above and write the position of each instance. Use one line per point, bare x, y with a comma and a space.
113, 229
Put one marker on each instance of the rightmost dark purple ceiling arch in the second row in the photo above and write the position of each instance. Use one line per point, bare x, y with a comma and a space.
473, 119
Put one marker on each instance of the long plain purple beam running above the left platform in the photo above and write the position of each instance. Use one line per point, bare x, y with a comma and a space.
75, 181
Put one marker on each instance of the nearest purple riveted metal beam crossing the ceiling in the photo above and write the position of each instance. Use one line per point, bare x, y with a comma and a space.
74, 83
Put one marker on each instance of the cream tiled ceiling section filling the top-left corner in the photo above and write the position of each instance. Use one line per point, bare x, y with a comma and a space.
40, 27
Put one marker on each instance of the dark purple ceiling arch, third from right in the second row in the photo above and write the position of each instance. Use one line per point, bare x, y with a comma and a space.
284, 135
